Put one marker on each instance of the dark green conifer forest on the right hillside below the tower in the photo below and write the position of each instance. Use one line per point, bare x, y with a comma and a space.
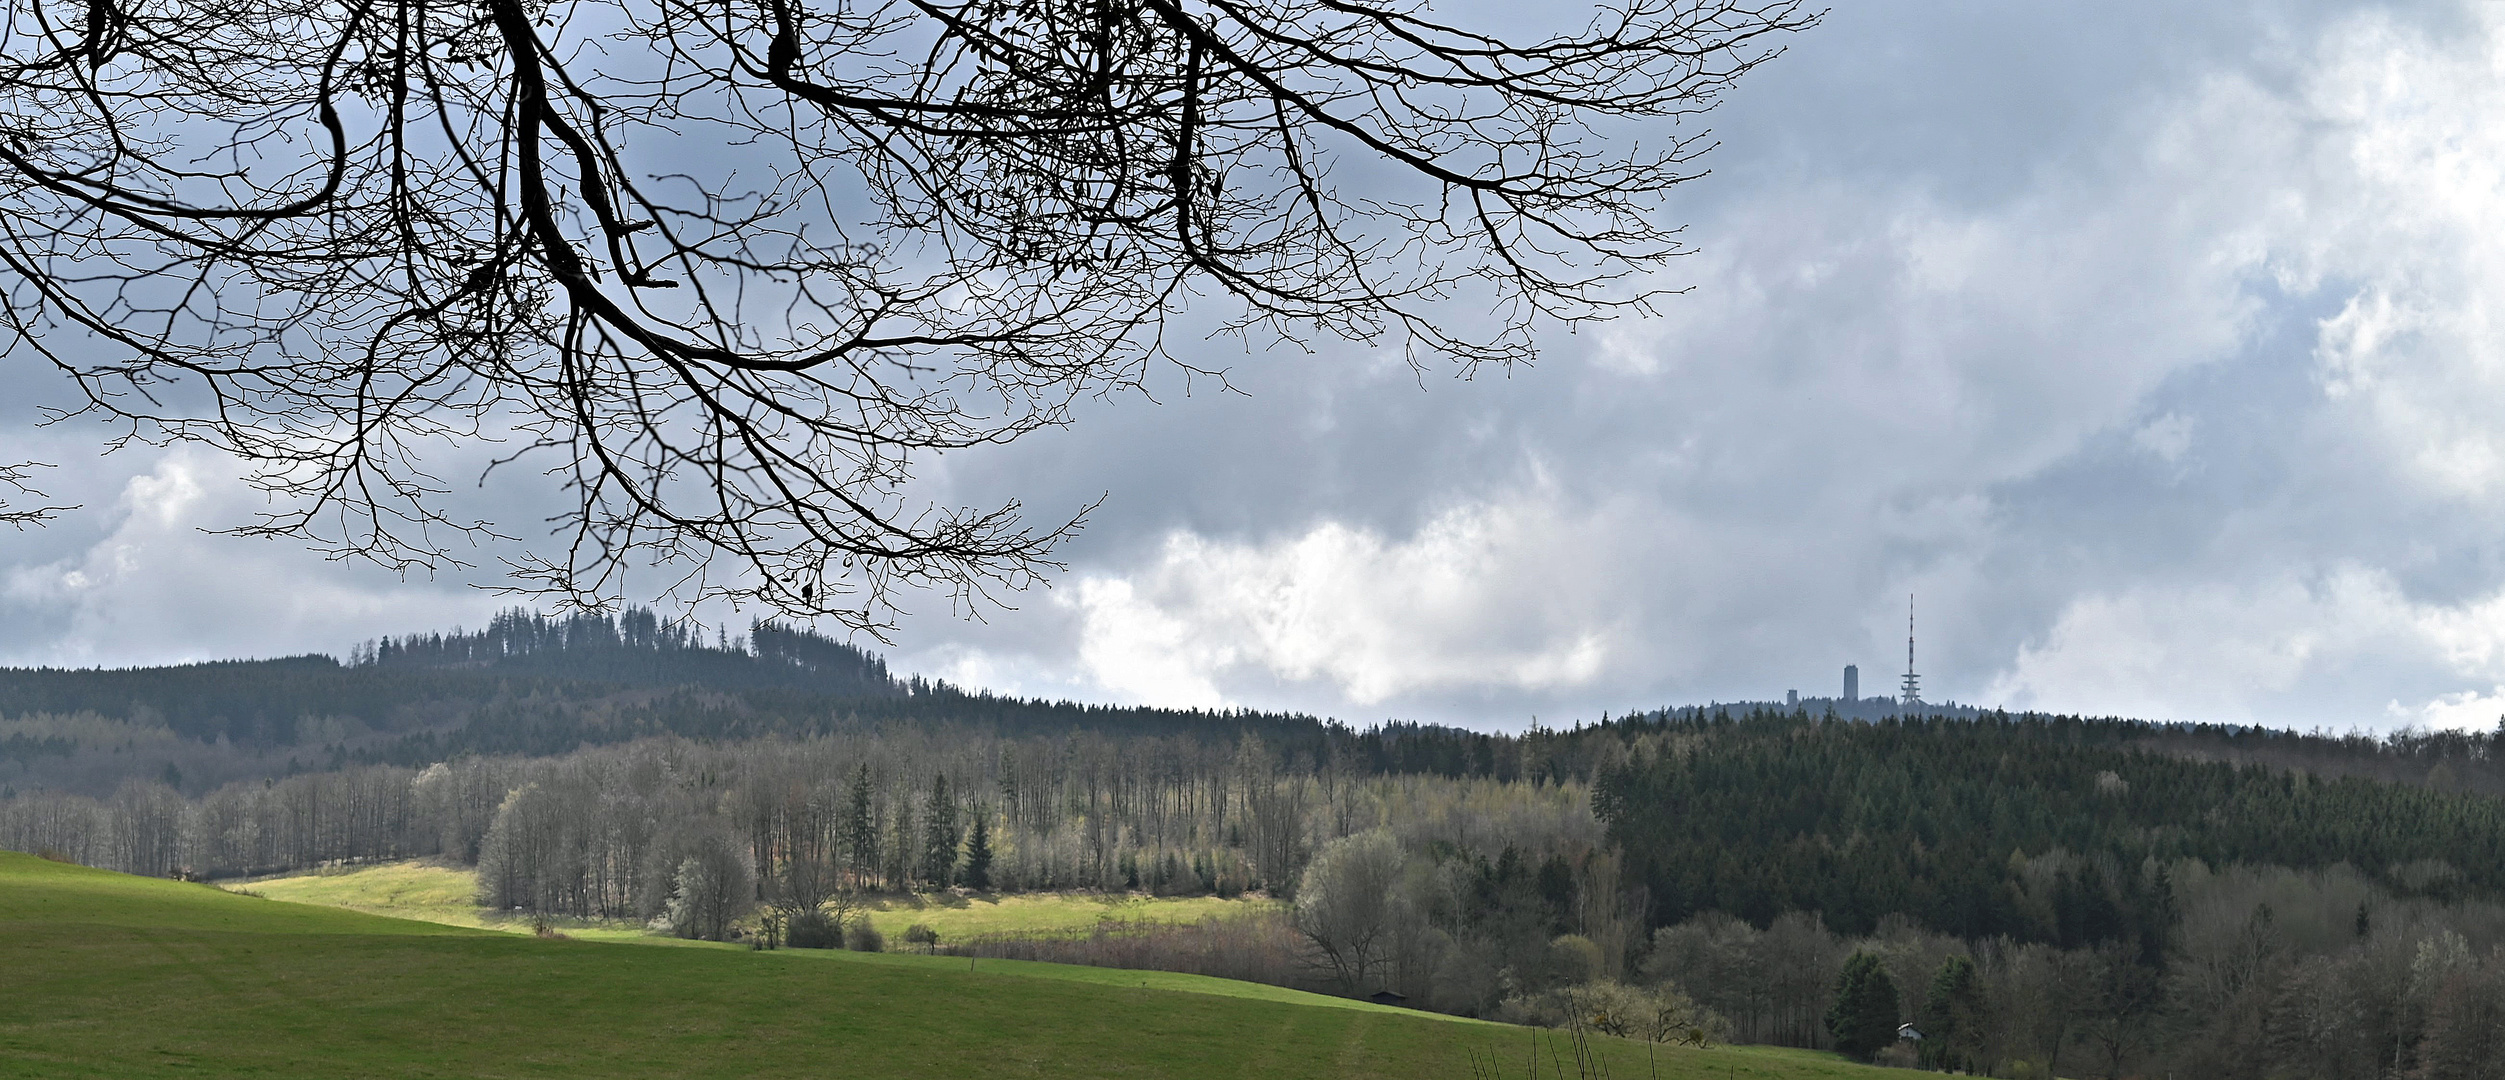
1953, 821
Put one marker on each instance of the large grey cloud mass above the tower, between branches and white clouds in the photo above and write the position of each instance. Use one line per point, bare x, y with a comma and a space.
1943, 289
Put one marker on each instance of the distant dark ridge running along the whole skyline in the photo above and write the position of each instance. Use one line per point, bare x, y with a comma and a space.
550, 685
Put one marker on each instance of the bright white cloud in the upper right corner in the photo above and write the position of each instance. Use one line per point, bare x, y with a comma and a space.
2404, 187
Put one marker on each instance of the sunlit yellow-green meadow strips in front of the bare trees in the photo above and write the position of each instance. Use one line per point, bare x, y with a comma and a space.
435, 893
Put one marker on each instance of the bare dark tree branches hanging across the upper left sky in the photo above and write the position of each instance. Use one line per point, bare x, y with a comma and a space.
733, 269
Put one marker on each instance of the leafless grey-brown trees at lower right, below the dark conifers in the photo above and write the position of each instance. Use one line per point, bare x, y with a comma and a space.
2266, 974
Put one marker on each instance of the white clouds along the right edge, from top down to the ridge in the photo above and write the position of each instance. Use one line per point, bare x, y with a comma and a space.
2376, 177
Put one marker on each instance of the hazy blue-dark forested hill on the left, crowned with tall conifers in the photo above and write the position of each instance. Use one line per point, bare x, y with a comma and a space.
525, 685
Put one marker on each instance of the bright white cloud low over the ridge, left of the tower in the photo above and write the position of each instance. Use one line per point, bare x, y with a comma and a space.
1487, 595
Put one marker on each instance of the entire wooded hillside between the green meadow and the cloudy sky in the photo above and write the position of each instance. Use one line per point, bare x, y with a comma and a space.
2035, 893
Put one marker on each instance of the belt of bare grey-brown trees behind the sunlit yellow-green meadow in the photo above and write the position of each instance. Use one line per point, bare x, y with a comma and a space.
585, 833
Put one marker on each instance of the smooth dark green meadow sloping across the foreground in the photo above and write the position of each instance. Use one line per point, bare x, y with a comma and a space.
106, 976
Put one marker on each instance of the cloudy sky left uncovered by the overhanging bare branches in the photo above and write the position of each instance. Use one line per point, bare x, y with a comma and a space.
2161, 350
